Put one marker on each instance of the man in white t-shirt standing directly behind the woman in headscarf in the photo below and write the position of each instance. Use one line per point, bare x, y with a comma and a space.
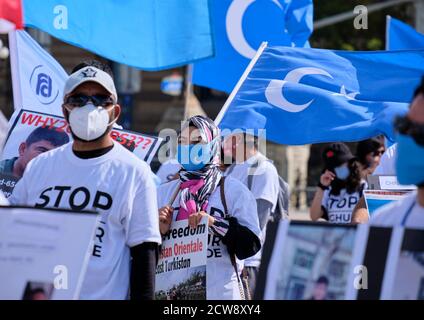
255, 171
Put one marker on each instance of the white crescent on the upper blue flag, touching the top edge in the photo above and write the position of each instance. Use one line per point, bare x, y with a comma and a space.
234, 27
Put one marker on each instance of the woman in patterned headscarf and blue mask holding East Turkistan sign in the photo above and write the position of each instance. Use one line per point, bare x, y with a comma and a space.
229, 206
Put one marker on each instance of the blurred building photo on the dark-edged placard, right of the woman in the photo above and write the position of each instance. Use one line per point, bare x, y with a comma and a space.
312, 261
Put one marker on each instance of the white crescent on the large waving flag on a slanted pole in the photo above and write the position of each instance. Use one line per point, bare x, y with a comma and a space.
274, 91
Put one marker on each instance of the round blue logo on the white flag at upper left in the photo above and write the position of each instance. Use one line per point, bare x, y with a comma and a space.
43, 85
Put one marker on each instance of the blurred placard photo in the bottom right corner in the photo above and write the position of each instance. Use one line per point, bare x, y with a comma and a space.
404, 276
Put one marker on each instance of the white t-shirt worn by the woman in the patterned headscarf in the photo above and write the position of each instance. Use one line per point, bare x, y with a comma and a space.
221, 279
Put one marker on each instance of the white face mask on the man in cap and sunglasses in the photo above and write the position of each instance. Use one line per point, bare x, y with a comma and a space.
89, 122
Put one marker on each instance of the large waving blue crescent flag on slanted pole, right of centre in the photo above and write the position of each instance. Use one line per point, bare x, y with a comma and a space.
303, 95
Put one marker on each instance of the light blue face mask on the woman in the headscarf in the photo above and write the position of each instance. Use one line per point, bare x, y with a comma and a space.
194, 157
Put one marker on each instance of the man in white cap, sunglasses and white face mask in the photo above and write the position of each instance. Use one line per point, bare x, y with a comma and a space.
95, 173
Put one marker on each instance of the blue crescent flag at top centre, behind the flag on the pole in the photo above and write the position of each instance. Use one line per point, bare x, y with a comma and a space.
239, 28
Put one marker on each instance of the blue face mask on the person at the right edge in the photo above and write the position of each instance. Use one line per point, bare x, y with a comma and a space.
409, 161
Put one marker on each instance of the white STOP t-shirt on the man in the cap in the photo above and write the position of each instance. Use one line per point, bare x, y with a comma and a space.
119, 186
